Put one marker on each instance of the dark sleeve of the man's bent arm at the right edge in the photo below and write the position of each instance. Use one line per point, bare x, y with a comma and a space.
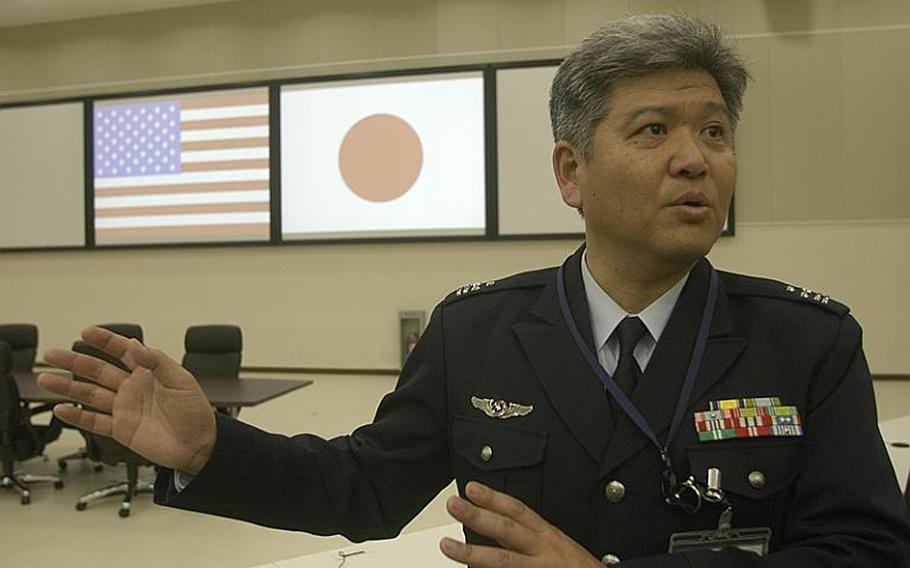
845, 508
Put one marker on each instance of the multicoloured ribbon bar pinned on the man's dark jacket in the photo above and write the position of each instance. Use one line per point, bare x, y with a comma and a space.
747, 418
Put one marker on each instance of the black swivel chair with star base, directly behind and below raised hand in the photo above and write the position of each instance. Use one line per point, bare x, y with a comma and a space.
108, 451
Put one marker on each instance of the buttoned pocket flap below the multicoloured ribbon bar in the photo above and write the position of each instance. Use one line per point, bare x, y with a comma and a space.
752, 468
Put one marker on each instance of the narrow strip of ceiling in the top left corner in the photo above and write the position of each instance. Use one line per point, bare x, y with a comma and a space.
25, 12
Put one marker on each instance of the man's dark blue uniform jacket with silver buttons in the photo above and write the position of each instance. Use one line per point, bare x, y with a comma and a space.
830, 496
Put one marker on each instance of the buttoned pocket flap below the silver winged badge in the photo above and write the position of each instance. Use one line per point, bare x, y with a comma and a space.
489, 445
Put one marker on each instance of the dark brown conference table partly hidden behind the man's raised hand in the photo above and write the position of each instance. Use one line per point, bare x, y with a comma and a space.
221, 391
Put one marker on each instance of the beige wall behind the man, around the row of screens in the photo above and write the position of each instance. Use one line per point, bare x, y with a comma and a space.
821, 200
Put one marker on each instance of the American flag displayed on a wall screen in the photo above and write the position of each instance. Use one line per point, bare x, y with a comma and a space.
189, 168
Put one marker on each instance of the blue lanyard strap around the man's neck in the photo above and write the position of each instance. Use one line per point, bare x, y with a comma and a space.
617, 393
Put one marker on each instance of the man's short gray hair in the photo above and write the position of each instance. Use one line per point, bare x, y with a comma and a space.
633, 47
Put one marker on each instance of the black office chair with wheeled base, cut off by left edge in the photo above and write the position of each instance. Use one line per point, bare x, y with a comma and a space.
19, 438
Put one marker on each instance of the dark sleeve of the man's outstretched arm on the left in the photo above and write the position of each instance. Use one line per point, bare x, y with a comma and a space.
364, 486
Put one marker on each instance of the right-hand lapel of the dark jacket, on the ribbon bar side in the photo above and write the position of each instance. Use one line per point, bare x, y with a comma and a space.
658, 390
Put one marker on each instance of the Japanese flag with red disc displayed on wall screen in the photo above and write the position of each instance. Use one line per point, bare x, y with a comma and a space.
386, 157
